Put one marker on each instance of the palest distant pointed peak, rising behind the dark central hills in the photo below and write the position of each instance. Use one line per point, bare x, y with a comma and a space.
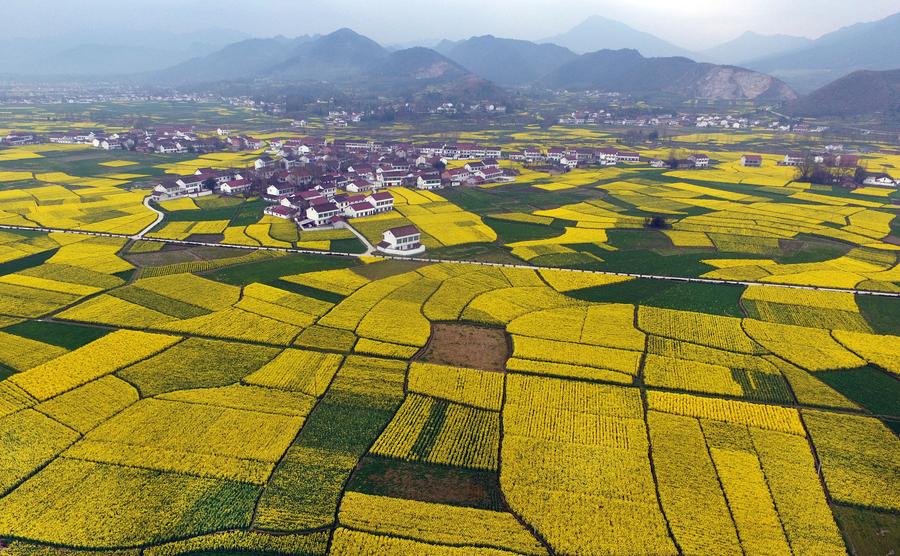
600, 33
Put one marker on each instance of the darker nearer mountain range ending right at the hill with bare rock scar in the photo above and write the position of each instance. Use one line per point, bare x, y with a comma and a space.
474, 65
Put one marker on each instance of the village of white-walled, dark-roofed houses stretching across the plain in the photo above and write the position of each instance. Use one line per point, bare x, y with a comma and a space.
316, 182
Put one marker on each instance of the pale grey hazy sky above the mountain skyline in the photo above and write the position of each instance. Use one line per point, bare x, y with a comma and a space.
689, 23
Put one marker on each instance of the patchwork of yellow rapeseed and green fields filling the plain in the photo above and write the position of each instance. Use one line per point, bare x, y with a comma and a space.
159, 398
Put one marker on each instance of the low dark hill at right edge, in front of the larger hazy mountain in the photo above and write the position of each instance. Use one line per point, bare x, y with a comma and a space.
860, 93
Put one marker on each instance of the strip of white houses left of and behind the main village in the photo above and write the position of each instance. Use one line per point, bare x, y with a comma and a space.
161, 140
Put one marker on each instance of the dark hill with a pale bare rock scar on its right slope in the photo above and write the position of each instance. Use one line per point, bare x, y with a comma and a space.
626, 71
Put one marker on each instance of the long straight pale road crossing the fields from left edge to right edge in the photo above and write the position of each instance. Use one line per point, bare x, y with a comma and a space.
477, 263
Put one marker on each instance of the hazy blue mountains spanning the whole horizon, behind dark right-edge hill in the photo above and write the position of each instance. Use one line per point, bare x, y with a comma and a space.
598, 54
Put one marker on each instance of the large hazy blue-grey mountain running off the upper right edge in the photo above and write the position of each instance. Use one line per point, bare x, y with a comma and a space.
864, 46
